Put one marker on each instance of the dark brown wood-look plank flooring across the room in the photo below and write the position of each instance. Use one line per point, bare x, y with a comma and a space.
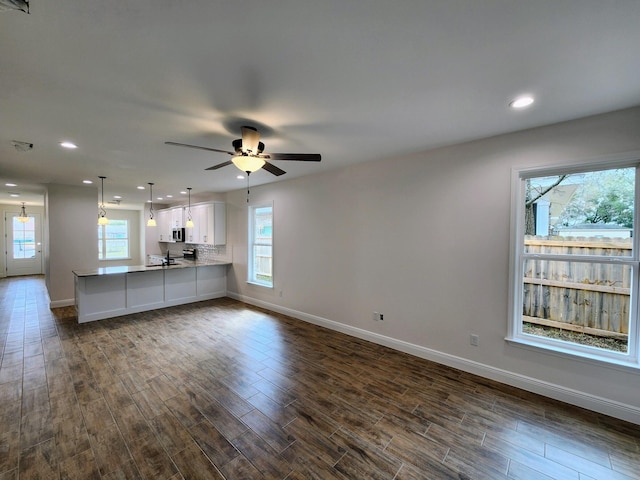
220, 389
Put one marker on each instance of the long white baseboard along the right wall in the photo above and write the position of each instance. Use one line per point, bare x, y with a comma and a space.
606, 406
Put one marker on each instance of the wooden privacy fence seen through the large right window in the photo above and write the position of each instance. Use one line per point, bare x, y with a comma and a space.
586, 297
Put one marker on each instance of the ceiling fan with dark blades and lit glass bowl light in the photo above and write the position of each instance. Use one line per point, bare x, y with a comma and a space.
248, 155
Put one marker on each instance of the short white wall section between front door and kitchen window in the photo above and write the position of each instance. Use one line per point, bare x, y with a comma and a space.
71, 238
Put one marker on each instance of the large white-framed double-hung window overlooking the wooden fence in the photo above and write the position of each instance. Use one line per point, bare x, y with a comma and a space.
575, 262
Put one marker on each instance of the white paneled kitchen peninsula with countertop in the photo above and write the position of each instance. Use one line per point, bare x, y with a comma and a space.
115, 291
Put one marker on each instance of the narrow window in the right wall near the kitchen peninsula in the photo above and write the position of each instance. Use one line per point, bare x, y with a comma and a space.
260, 268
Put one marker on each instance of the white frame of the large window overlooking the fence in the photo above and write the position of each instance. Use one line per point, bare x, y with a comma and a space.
515, 334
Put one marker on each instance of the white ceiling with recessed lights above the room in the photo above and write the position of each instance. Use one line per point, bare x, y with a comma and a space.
352, 80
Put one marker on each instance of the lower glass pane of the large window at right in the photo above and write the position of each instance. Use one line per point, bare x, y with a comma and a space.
578, 302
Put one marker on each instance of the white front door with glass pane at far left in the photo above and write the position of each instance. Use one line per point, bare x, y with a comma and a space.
23, 244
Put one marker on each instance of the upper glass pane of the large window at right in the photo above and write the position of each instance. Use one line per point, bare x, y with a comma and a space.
588, 213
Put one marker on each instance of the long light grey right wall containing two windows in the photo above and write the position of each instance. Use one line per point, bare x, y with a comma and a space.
425, 240
